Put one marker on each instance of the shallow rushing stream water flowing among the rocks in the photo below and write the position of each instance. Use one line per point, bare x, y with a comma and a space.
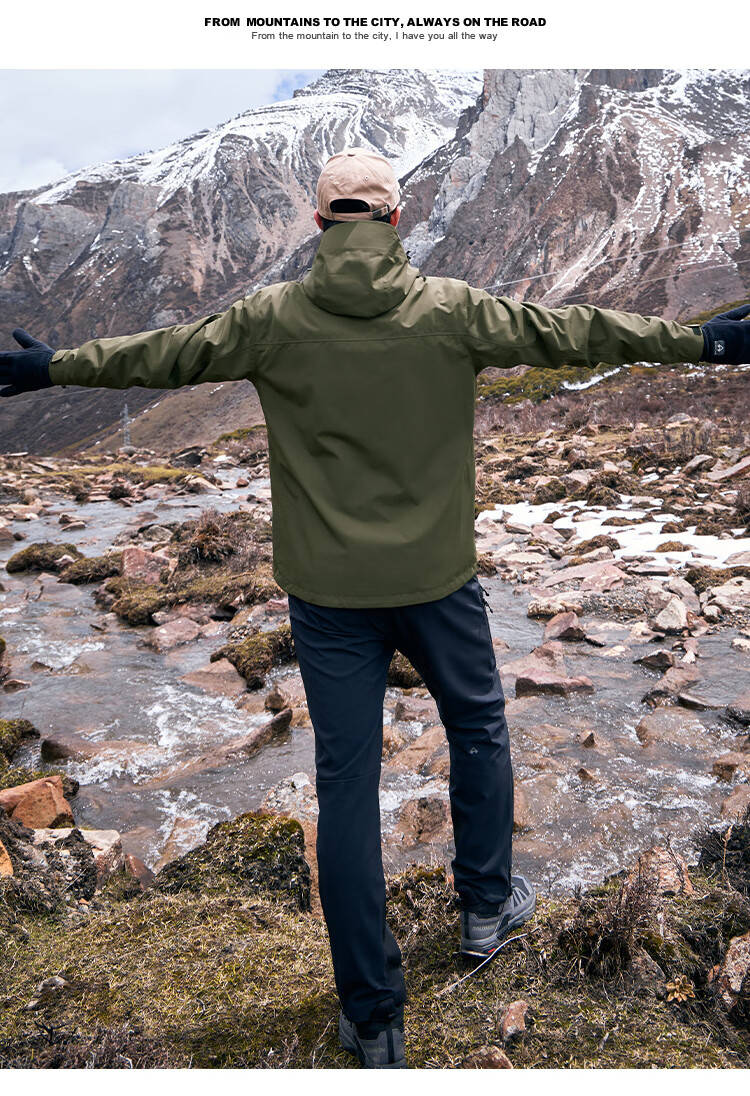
93, 676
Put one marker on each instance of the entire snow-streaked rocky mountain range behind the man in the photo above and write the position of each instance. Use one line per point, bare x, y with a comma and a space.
628, 189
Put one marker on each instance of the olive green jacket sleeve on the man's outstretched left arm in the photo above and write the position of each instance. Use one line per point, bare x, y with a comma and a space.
219, 348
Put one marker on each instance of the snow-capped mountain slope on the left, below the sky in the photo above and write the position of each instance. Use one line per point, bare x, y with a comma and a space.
181, 233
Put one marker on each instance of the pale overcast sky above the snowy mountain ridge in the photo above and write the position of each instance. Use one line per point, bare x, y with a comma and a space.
56, 122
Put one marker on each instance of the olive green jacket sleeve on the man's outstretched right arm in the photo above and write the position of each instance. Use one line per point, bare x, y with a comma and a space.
504, 333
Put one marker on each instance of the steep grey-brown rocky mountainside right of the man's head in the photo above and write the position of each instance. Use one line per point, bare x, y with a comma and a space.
628, 189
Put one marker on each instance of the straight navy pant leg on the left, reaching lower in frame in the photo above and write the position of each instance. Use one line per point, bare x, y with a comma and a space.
344, 660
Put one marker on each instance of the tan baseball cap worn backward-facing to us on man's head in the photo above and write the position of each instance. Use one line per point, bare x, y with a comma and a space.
358, 174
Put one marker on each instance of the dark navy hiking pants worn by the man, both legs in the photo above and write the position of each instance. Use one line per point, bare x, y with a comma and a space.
344, 658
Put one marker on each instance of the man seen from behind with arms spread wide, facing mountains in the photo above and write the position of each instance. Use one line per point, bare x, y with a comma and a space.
367, 374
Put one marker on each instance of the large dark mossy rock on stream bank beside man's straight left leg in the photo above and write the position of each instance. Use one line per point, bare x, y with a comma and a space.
256, 853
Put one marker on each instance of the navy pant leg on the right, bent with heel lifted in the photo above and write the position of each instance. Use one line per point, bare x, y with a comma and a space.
449, 643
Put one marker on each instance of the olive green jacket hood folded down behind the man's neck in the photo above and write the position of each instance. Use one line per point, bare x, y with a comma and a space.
360, 270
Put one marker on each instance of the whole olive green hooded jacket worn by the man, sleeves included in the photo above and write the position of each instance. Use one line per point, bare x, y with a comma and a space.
367, 373
